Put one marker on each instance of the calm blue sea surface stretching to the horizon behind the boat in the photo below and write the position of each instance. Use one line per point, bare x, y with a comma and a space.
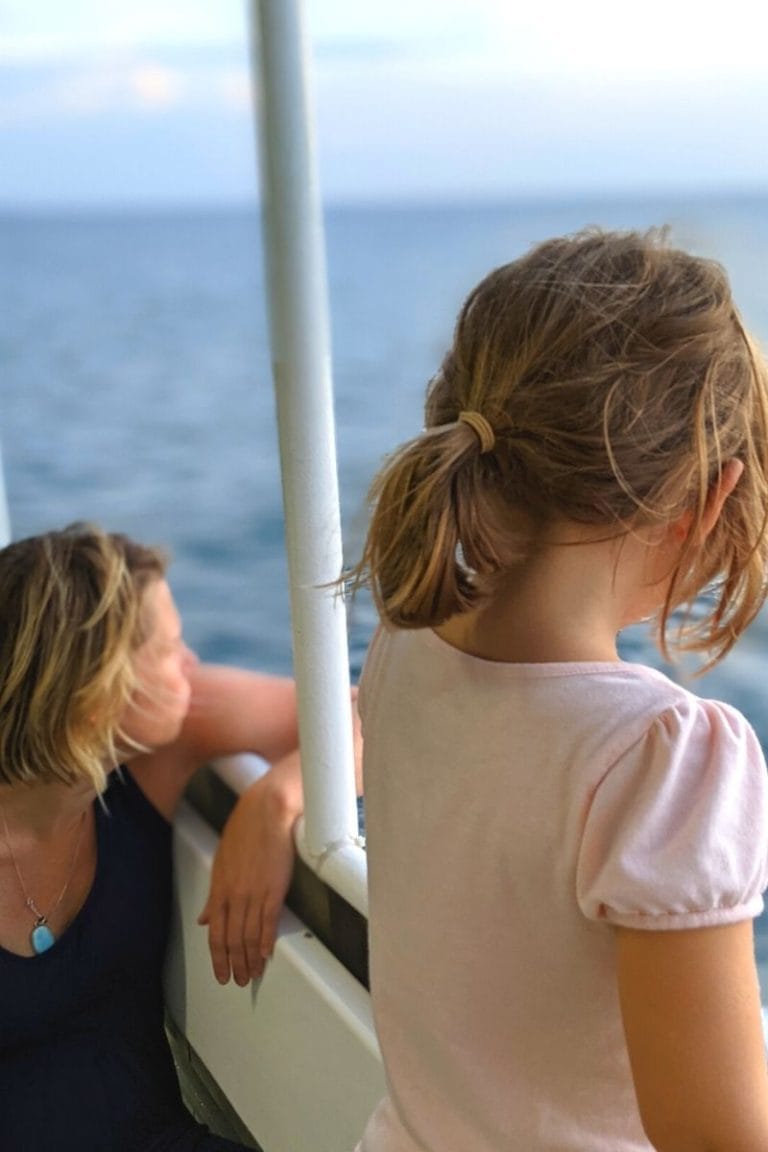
136, 386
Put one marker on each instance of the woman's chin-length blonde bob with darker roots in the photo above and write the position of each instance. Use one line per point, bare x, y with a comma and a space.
71, 618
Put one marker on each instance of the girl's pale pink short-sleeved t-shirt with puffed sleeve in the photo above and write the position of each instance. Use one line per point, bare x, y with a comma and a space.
514, 814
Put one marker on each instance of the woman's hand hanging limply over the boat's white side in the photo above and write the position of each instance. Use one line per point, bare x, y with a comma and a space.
252, 874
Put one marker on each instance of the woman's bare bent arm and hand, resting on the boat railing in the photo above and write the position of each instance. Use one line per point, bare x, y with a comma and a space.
238, 711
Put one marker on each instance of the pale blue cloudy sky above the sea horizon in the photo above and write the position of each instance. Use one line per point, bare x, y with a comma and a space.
107, 104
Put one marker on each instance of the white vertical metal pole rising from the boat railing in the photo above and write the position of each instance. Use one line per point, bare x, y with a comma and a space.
301, 354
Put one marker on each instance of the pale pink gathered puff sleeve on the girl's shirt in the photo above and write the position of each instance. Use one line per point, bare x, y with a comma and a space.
676, 833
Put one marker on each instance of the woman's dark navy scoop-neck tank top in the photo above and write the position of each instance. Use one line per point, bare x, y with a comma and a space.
85, 1063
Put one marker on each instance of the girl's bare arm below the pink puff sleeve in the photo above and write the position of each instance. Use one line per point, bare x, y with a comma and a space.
691, 1010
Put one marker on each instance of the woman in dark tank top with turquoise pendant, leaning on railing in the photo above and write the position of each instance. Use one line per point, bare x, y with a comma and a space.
104, 717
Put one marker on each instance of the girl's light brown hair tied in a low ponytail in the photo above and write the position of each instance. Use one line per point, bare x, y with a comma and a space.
619, 381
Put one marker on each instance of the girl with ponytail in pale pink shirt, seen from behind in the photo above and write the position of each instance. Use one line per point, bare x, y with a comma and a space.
567, 851
